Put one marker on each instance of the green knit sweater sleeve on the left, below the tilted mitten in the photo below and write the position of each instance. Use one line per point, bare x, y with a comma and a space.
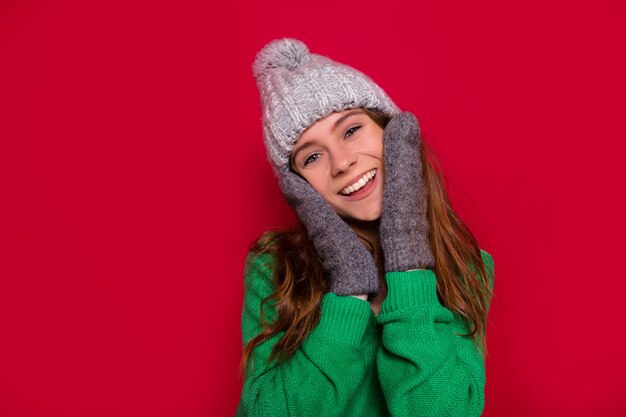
330, 372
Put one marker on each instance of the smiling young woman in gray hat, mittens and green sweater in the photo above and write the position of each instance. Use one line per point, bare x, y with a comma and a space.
376, 304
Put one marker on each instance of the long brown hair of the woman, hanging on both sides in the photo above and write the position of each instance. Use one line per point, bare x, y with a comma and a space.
462, 280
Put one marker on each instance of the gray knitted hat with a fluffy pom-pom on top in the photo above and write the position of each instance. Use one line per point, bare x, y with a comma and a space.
297, 88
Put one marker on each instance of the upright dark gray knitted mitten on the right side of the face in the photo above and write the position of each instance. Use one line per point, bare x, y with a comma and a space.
403, 225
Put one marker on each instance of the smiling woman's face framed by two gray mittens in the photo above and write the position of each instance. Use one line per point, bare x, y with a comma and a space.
341, 156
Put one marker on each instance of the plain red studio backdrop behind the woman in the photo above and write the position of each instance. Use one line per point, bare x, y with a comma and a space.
133, 178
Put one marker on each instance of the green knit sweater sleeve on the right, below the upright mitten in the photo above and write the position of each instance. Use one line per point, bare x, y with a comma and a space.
425, 368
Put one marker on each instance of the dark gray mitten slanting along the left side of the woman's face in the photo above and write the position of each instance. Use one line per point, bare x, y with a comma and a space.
350, 266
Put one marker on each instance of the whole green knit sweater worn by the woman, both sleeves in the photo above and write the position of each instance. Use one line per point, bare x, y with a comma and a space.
406, 361
